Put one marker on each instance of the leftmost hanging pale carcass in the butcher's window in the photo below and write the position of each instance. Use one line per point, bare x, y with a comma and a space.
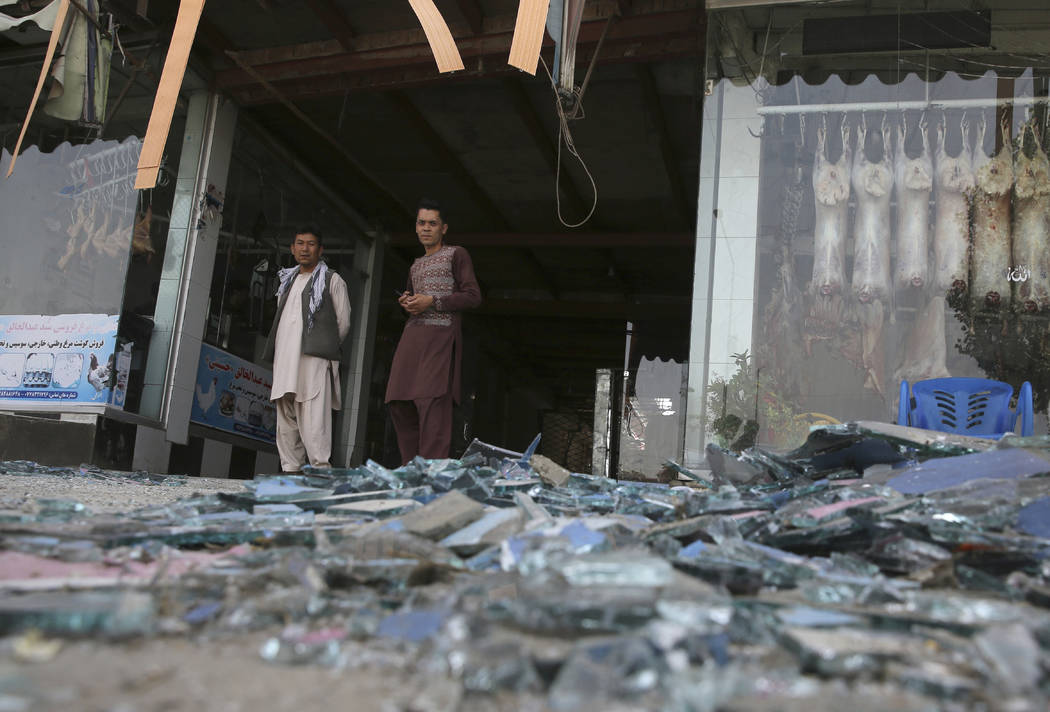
831, 189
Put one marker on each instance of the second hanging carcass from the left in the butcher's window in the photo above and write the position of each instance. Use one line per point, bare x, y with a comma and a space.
872, 183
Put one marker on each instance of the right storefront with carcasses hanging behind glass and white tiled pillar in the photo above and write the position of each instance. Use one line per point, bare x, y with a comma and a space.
873, 210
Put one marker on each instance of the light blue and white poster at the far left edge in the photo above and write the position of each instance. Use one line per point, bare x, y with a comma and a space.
67, 359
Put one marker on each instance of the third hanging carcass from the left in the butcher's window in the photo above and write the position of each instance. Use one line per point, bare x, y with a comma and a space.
914, 180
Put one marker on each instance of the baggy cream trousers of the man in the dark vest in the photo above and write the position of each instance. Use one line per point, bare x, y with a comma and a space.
305, 431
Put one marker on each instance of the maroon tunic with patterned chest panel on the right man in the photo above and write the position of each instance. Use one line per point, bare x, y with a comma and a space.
427, 363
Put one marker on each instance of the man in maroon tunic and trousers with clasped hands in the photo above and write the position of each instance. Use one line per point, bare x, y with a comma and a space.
425, 379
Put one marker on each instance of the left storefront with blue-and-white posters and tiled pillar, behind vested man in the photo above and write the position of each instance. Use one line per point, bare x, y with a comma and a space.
133, 321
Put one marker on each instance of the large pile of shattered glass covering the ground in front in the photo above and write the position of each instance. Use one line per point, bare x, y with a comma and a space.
876, 568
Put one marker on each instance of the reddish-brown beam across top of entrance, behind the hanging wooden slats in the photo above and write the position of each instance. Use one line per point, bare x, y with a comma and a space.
289, 64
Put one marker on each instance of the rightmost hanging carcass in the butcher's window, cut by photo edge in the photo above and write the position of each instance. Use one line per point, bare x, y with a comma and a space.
1032, 224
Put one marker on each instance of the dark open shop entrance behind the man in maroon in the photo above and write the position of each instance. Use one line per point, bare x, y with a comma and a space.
585, 262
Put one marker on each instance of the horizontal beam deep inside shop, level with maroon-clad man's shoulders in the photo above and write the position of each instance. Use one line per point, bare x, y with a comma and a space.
559, 240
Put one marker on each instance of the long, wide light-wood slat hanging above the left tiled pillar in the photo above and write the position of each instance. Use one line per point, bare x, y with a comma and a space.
167, 93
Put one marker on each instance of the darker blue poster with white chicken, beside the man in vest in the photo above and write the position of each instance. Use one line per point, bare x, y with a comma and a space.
234, 395
